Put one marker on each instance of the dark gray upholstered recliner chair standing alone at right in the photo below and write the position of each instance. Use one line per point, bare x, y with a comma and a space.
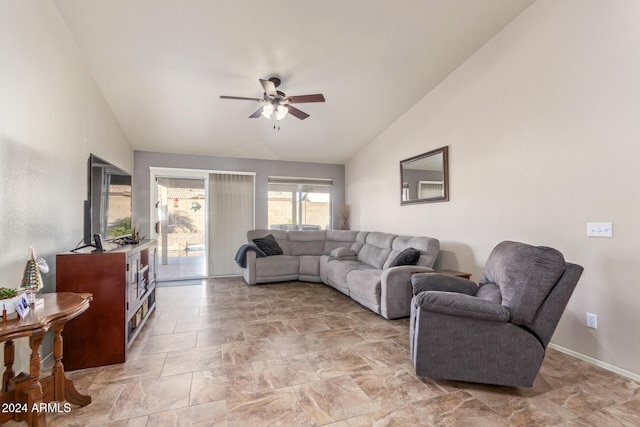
496, 332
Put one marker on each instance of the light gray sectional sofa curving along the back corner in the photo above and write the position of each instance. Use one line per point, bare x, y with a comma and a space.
356, 263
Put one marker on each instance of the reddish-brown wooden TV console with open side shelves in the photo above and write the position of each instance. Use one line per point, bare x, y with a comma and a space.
122, 280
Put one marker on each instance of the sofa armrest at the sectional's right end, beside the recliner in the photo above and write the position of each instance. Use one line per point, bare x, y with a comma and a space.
396, 291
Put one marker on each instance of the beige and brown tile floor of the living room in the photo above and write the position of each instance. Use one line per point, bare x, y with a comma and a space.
299, 354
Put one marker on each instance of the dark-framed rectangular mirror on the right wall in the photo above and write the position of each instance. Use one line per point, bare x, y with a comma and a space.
425, 178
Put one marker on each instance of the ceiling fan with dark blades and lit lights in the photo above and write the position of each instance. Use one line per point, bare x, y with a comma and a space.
276, 102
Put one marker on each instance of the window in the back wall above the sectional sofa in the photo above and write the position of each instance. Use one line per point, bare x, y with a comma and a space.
299, 204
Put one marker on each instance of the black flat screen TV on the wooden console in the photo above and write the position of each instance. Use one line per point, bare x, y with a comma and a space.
108, 205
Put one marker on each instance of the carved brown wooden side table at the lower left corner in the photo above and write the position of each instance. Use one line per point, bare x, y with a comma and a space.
25, 396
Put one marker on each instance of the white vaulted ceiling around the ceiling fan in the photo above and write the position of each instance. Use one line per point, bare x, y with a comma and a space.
163, 64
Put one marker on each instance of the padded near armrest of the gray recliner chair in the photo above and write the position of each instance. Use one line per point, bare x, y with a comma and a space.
462, 305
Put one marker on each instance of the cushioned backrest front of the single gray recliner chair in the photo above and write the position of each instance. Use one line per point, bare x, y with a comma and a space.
525, 274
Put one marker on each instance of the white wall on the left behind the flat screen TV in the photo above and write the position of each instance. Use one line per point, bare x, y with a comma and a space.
52, 116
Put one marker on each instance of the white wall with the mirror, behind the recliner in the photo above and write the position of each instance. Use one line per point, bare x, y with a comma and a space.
543, 130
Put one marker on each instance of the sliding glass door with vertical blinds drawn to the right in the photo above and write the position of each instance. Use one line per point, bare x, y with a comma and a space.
203, 218
